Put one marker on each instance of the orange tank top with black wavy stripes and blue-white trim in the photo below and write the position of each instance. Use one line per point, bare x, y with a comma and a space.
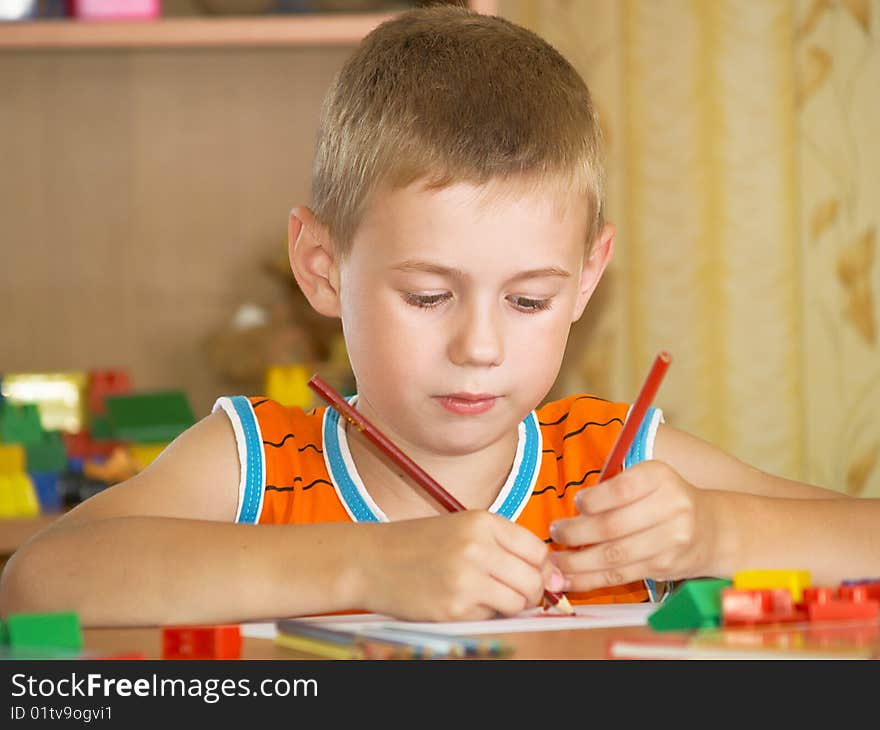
296, 468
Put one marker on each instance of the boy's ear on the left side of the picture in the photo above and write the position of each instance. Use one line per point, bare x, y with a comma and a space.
313, 261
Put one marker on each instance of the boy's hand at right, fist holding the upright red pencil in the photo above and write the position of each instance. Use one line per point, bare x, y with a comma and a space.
647, 522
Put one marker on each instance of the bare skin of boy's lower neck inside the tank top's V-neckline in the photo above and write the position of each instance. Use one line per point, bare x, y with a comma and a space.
474, 480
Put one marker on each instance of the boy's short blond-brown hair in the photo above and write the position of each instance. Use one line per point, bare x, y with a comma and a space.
447, 95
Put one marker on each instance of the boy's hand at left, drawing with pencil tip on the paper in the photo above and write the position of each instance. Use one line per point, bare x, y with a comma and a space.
464, 566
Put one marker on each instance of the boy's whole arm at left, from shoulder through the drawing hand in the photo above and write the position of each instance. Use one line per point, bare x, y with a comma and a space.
162, 548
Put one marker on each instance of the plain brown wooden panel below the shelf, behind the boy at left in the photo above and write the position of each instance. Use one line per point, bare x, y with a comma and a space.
139, 193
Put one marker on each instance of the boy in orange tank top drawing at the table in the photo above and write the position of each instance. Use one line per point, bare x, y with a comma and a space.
457, 230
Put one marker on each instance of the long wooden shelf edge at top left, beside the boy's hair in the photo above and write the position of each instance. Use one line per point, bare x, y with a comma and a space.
301, 30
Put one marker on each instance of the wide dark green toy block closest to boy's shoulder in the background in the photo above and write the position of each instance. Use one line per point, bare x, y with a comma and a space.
155, 417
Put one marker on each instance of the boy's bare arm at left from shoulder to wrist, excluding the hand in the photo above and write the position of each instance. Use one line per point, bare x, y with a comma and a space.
162, 547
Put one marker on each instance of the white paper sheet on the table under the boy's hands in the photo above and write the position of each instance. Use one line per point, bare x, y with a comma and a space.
587, 617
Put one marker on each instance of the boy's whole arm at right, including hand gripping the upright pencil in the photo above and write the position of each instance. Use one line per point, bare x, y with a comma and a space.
693, 510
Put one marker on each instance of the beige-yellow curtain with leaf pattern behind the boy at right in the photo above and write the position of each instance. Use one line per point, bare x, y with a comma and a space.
744, 179
